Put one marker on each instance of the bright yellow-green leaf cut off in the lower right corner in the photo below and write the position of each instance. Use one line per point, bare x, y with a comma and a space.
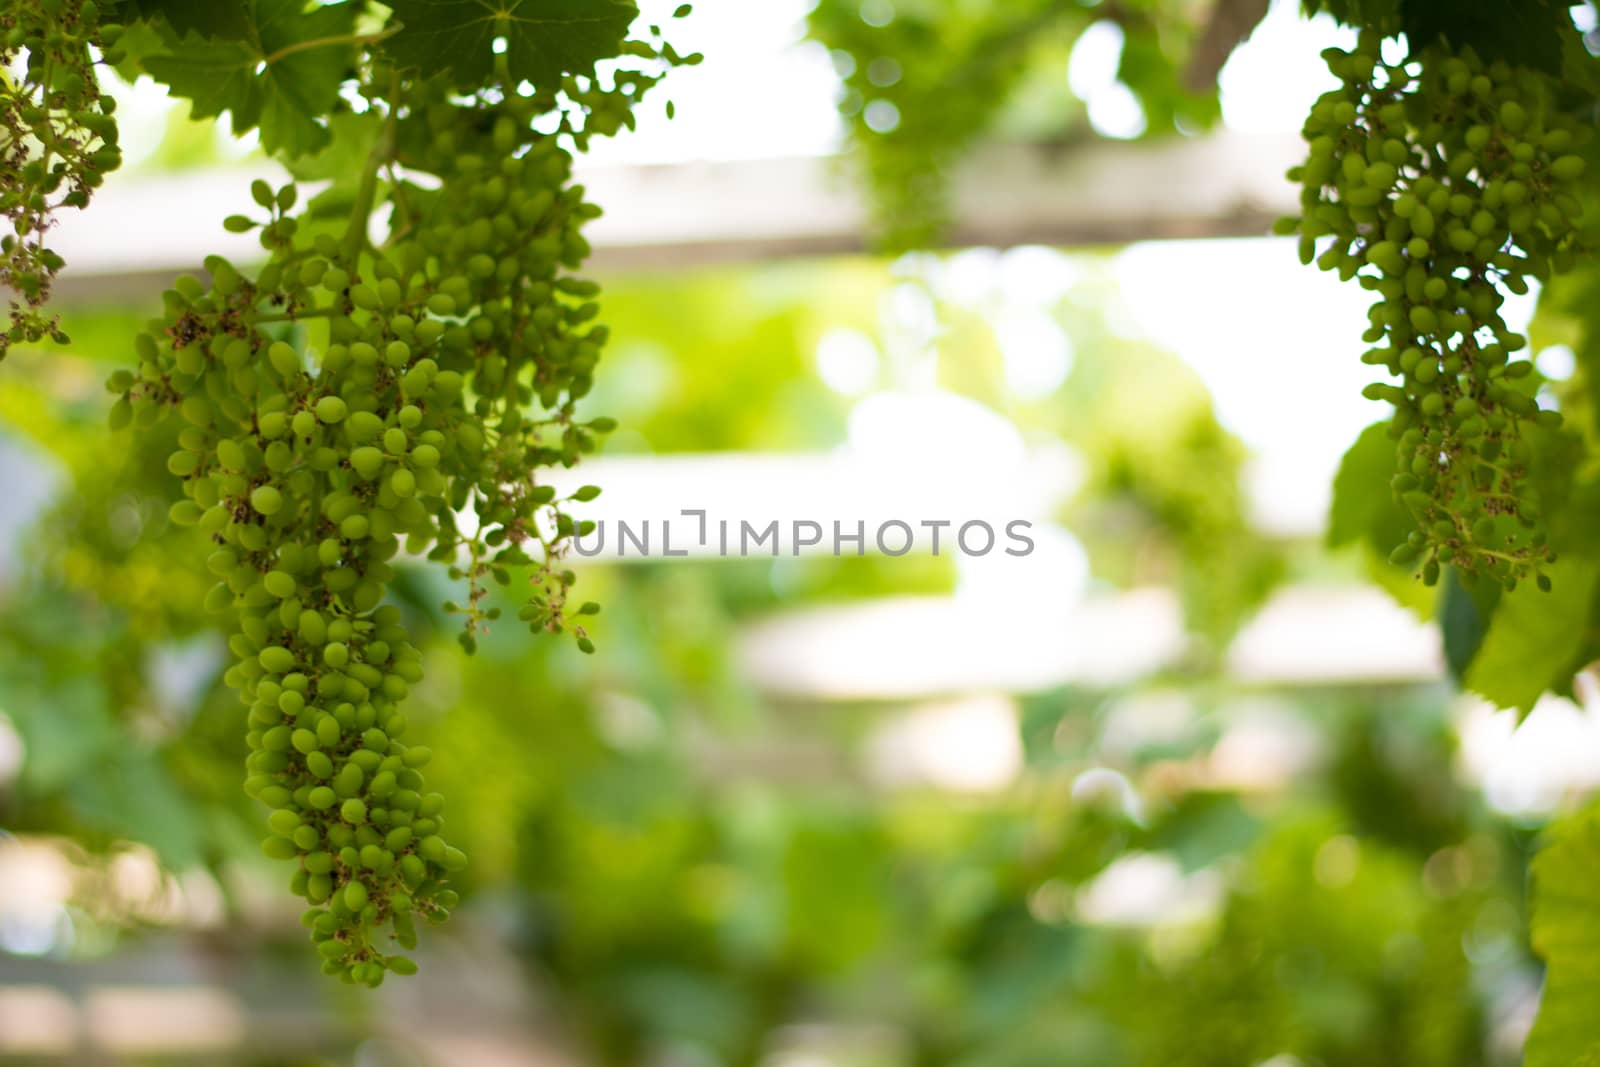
1567, 937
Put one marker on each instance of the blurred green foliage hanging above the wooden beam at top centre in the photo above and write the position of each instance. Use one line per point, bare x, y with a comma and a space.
924, 81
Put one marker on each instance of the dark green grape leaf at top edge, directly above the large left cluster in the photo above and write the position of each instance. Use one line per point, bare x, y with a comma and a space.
545, 39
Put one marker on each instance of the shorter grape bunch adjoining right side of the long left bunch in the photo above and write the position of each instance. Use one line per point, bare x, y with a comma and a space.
506, 228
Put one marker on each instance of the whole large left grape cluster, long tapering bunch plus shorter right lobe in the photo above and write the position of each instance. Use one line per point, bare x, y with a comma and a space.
348, 404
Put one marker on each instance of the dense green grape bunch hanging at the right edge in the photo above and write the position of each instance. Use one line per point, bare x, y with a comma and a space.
1441, 185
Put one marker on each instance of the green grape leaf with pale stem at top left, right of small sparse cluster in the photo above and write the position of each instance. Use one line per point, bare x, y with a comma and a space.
281, 78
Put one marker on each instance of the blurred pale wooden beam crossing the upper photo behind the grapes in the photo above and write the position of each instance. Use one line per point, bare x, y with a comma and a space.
142, 231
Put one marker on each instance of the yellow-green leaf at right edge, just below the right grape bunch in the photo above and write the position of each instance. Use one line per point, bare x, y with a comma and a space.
1534, 637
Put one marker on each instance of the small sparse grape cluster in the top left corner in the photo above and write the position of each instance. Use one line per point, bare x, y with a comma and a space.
58, 142
